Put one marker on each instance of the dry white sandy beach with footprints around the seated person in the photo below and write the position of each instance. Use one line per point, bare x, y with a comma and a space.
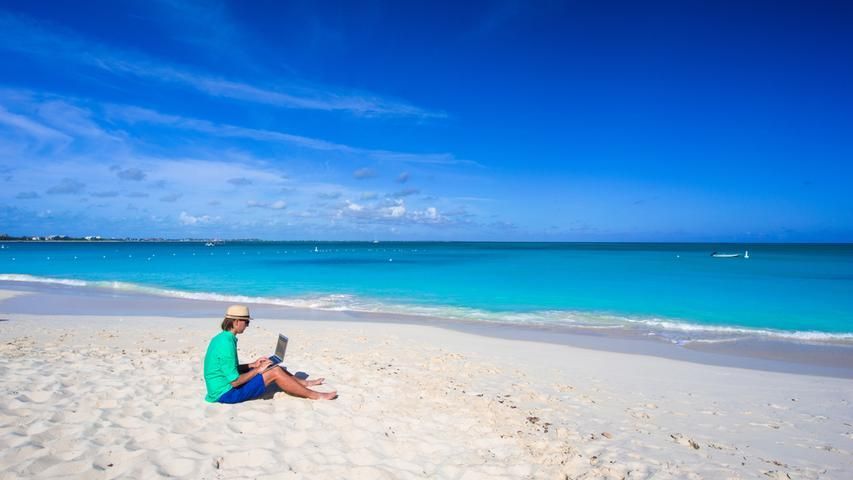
122, 397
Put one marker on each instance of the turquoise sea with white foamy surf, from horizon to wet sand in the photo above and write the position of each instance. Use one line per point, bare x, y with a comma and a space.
678, 290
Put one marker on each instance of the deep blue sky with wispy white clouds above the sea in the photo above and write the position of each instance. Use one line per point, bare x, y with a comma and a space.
571, 121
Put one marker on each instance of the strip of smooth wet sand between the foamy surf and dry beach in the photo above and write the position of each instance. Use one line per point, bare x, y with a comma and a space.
773, 355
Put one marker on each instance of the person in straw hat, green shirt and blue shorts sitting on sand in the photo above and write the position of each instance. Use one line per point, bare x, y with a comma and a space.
225, 383
